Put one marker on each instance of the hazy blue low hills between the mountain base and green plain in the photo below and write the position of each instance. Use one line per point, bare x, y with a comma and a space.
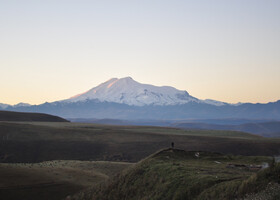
264, 128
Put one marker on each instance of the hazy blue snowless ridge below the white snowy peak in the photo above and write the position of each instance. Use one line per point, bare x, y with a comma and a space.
192, 110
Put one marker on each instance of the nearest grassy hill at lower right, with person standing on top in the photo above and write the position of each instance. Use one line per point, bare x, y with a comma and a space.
177, 174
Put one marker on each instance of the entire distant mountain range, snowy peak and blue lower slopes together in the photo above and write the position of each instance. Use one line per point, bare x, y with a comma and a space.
127, 99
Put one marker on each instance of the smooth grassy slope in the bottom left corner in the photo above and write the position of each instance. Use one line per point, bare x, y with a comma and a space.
53, 179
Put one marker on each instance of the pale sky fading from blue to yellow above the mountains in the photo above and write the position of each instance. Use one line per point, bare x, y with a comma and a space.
227, 50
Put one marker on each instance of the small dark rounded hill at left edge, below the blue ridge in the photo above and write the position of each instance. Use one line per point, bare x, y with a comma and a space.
29, 117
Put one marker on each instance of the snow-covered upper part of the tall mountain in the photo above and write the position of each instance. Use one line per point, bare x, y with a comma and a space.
130, 92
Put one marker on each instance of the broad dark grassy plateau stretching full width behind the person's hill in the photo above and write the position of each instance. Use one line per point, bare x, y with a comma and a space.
42, 141
